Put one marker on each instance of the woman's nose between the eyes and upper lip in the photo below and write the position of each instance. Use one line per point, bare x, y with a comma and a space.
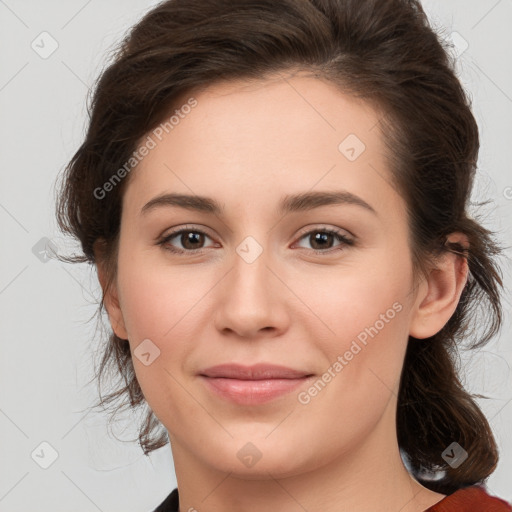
252, 299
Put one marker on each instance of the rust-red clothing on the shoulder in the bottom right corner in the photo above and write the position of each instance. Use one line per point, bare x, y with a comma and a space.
471, 499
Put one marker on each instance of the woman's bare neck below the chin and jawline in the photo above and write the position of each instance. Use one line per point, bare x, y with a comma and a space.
369, 478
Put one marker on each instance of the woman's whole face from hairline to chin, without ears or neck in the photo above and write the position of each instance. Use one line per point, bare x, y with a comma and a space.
260, 280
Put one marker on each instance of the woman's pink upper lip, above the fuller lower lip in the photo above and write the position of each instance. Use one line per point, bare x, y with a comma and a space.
260, 371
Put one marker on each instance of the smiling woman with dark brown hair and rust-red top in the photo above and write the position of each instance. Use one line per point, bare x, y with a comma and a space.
275, 197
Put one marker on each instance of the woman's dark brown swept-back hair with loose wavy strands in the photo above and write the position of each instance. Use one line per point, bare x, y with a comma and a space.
384, 52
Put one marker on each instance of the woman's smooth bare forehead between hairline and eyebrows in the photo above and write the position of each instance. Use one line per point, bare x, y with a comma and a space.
261, 139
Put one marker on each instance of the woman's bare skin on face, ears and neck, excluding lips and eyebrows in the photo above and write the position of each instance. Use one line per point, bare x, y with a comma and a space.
247, 145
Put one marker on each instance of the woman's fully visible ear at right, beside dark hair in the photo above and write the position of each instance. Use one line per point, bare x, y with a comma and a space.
440, 293
